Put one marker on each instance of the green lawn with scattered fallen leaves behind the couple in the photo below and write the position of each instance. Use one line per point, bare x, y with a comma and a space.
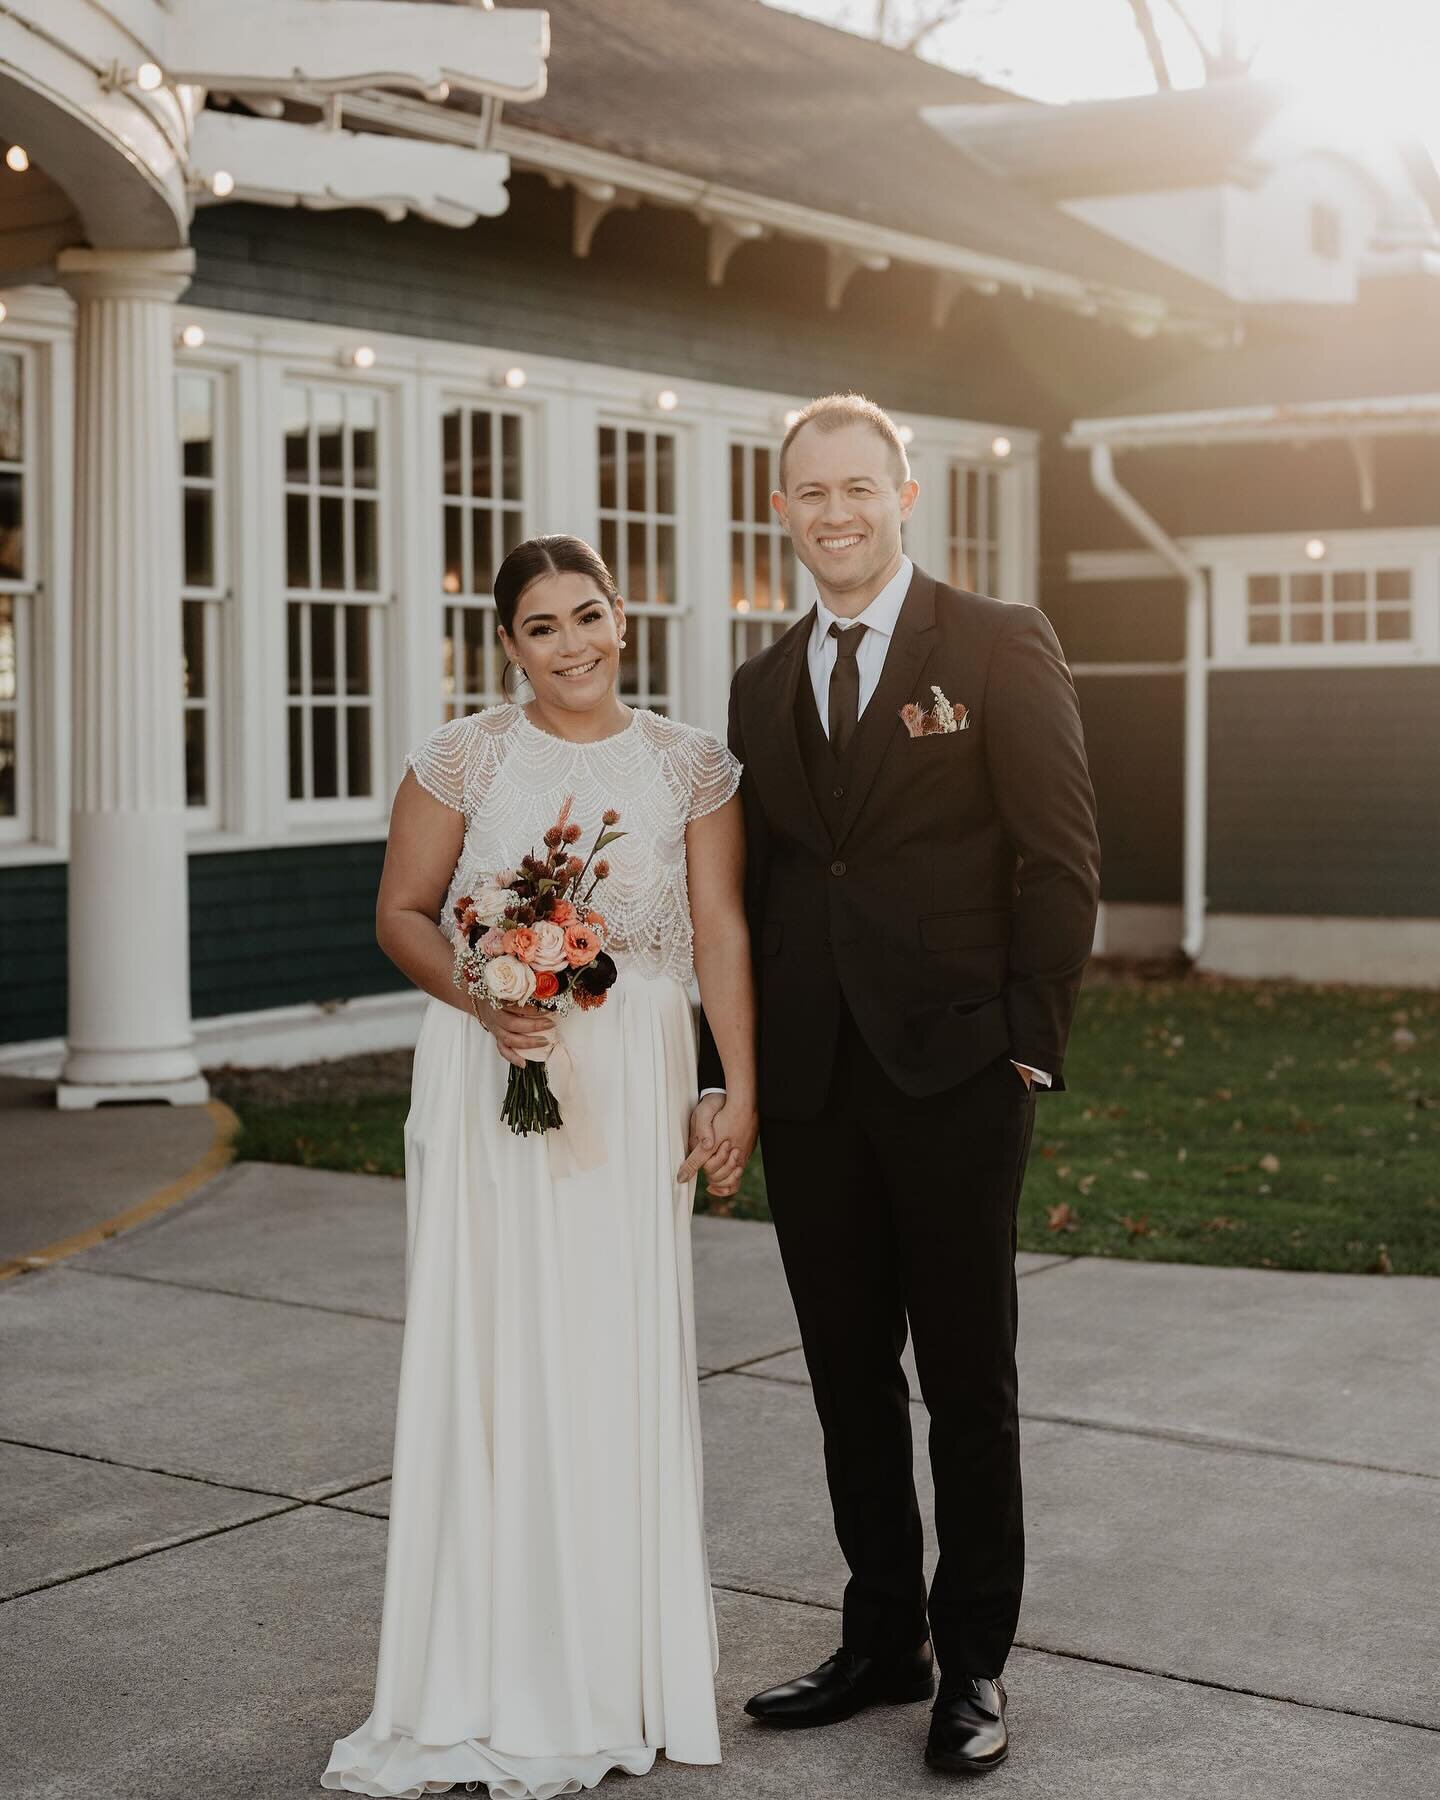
1255, 1124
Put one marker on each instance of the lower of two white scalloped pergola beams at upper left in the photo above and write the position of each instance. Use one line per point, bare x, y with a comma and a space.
278, 163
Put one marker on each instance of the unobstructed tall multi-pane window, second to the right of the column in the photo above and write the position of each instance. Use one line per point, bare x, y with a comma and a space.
334, 571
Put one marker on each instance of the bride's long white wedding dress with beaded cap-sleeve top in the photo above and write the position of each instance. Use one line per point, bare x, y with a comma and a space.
548, 1612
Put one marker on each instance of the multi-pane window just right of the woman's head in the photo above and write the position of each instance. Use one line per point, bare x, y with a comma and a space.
638, 539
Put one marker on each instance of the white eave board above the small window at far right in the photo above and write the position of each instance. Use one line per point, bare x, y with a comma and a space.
1385, 417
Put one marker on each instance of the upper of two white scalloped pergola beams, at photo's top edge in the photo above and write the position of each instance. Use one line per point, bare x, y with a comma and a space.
332, 46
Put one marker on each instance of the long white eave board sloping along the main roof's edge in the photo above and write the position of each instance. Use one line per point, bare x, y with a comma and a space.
604, 175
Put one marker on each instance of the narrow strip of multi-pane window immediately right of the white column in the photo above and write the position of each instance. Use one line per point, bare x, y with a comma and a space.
199, 402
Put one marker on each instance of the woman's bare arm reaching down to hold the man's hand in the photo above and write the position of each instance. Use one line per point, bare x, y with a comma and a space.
715, 870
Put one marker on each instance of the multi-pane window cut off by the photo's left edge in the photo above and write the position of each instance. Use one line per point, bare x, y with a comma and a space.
17, 591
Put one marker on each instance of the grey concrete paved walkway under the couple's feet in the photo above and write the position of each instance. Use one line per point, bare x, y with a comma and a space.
1232, 1495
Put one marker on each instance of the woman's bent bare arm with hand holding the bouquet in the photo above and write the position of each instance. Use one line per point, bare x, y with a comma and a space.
420, 858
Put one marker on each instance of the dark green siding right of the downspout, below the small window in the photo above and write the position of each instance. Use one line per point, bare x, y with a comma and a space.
1324, 793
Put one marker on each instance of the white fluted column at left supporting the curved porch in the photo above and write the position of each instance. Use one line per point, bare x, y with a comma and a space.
130, 1014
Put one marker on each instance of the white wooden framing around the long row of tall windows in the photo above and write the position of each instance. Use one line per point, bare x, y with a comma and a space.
562, 402
